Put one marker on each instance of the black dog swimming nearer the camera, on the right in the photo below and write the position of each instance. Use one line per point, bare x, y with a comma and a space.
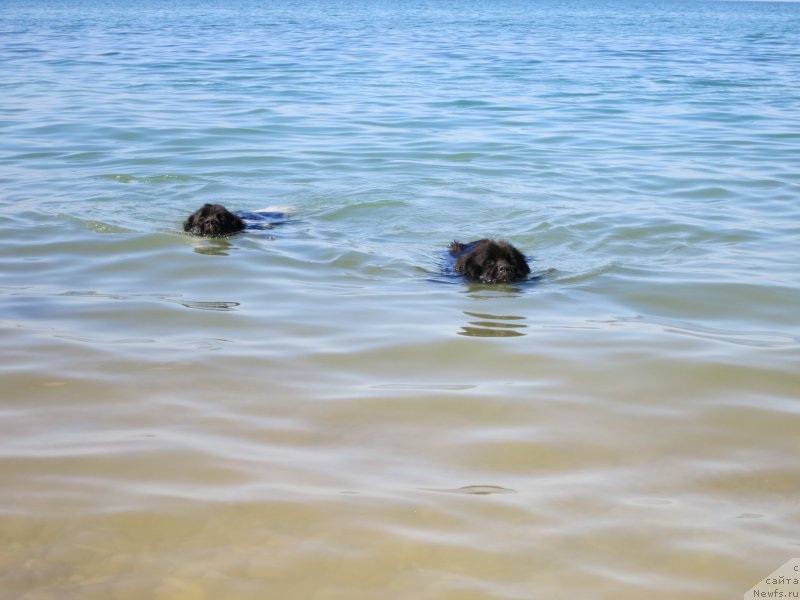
489, 261
